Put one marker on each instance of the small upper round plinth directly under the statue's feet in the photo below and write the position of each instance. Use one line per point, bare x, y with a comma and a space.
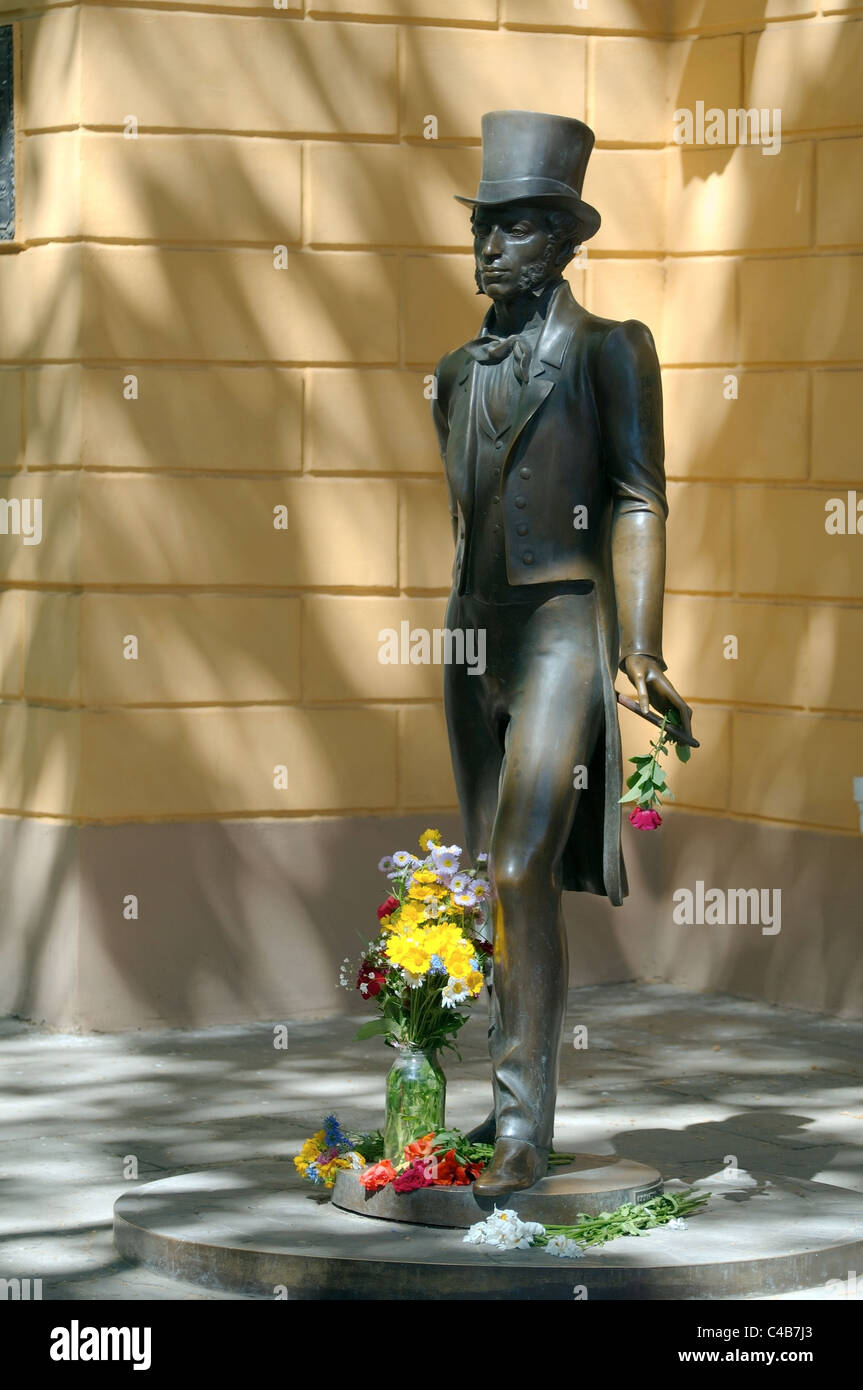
591, 1185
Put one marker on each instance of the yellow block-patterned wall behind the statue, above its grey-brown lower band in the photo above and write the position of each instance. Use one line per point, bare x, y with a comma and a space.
262, 127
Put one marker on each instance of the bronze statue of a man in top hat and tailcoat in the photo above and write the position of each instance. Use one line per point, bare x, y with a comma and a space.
551, 433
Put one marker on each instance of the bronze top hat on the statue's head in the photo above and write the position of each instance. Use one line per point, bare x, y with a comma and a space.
543, 159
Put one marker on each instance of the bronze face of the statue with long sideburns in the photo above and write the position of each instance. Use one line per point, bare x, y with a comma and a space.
513, 248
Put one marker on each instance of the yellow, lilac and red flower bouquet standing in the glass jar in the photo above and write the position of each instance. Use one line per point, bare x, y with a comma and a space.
433, 951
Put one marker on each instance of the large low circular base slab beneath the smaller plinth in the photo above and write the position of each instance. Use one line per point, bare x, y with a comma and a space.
255, 1229
